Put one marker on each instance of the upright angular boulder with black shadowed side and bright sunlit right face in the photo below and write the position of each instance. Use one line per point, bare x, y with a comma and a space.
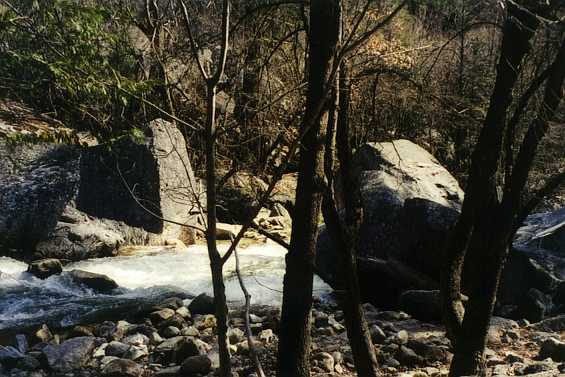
157, 166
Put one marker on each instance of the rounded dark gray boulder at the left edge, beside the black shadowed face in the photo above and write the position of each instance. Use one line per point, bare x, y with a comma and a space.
37, 181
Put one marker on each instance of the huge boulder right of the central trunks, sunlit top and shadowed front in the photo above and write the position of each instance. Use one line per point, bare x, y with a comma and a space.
410, 202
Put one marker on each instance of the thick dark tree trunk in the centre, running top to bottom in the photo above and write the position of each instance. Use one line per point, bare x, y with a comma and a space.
294, 343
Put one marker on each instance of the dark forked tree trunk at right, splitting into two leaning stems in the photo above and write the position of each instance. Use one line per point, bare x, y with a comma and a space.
483, 232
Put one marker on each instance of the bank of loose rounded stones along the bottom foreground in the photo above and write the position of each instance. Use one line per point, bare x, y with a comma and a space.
178, 338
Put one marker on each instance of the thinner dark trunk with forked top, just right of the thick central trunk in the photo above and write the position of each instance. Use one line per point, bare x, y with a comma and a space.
345, 235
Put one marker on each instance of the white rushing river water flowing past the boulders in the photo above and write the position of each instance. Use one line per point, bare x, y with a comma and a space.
145, 277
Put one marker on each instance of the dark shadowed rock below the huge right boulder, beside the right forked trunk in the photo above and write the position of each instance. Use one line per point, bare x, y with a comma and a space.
422, 305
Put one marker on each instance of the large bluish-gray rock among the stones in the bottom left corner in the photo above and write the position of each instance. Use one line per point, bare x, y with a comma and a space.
71, 354
